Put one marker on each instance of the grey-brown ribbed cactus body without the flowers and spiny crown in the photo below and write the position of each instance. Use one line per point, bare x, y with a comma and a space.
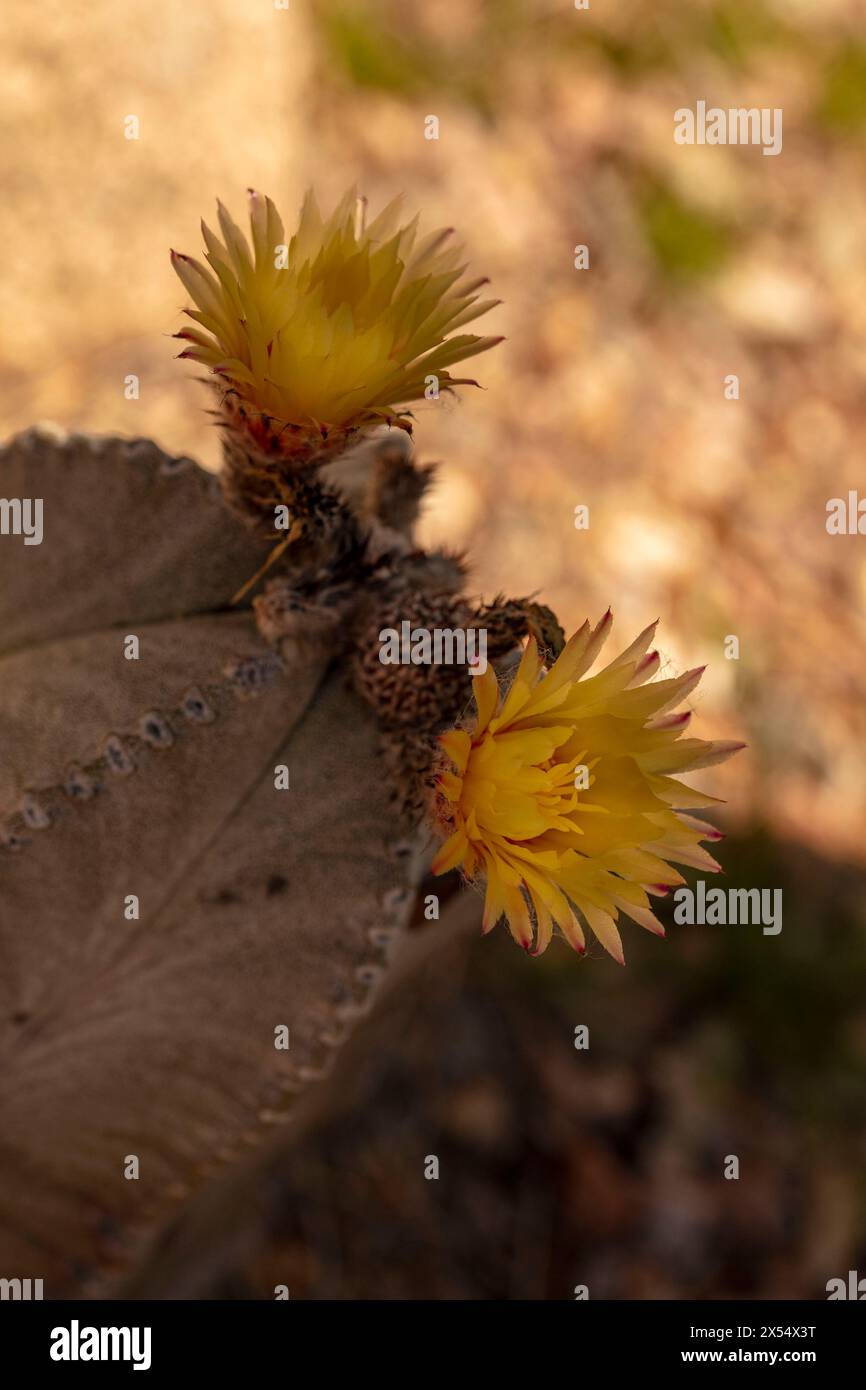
149, 1031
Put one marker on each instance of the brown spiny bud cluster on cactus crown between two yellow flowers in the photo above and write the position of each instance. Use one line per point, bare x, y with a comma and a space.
351, 571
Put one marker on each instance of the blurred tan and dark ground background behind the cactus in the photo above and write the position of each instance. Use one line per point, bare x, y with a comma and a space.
558, 1167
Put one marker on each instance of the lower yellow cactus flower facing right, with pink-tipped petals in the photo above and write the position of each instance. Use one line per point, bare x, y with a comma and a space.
564, 794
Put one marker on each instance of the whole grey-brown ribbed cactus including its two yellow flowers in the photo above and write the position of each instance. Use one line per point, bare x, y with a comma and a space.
218, 799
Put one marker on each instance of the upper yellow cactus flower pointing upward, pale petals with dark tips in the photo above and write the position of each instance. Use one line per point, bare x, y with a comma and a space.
334, 330
